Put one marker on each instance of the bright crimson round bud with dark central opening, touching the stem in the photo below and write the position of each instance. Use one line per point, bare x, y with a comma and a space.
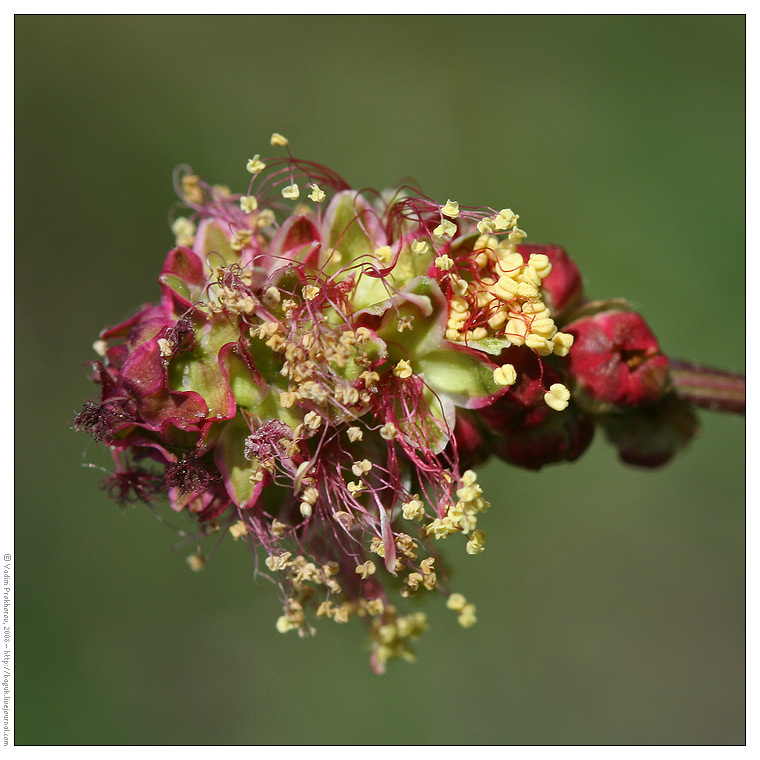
616, 361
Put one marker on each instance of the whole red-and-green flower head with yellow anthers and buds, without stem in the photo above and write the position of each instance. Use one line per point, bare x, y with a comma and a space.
325, 367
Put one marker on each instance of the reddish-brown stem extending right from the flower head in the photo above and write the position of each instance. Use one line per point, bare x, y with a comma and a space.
707, 387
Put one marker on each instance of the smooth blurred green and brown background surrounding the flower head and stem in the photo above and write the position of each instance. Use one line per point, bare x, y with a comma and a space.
610, 600
